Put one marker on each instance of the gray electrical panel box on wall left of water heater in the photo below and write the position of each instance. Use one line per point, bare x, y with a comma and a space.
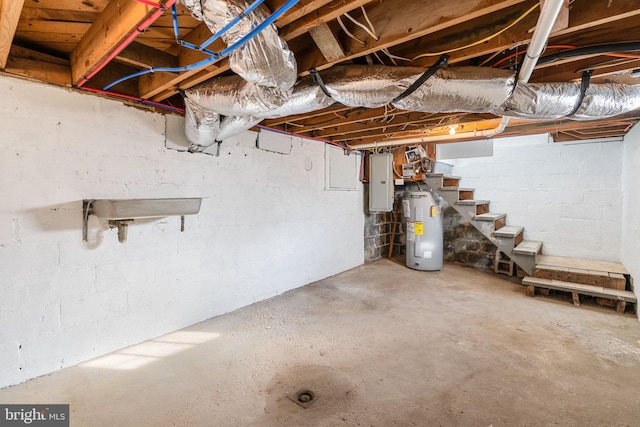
381, 182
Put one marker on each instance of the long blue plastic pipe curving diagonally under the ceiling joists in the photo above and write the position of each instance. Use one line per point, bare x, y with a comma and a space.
215, 56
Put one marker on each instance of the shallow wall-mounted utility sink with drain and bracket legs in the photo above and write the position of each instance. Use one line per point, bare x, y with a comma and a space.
120, 212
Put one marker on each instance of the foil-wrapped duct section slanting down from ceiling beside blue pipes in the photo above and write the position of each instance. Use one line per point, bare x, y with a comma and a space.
265, 59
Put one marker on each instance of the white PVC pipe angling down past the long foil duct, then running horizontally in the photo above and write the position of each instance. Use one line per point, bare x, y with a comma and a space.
548, 16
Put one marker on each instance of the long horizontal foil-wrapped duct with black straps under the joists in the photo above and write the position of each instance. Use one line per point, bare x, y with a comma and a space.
459, 89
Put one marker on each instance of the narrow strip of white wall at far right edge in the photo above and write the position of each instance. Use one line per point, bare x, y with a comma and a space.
631, 207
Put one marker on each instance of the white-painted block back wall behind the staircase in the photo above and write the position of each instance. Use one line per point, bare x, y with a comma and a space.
568, 195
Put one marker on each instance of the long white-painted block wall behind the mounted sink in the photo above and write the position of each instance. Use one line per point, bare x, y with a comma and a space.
266, 226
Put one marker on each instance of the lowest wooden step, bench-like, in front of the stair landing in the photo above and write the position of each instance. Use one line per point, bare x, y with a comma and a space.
620, 296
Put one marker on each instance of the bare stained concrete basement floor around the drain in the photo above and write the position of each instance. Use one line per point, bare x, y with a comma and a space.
380, 345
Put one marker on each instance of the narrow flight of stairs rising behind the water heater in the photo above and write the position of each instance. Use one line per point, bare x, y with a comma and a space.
512, 250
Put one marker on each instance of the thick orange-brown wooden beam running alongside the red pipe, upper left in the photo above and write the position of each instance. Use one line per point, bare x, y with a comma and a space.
118, 20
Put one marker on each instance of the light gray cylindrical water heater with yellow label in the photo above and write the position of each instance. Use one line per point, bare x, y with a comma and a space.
425, 236
